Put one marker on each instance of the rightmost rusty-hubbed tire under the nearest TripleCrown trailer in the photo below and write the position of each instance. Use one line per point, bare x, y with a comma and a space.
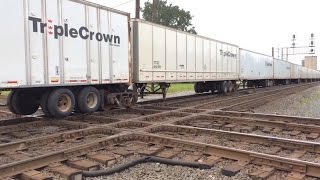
89, 100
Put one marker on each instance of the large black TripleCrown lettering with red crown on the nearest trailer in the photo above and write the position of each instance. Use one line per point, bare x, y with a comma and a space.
83, 32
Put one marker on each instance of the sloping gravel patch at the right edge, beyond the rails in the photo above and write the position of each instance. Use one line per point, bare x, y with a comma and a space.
305, 104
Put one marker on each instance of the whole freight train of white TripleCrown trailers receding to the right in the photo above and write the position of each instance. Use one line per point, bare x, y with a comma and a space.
74, 55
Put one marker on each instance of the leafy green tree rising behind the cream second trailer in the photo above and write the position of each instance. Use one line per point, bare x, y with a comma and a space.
168, 15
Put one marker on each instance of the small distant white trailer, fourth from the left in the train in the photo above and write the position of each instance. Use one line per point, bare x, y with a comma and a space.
281, 71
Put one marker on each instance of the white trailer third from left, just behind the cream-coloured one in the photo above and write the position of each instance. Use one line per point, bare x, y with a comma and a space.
256, 69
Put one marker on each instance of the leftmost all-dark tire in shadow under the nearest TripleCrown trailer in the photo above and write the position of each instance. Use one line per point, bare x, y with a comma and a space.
24, 103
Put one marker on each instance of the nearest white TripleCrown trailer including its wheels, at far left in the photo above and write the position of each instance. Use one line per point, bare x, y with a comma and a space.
58, 54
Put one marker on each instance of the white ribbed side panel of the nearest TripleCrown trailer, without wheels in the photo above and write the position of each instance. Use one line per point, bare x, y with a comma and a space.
59, 43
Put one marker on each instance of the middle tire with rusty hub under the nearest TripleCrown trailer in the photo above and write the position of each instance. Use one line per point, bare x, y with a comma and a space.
61, 102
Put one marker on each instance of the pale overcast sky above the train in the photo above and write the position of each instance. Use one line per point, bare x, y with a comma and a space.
256, 25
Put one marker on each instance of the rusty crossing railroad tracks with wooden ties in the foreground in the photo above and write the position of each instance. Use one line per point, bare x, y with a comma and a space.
257, 145
